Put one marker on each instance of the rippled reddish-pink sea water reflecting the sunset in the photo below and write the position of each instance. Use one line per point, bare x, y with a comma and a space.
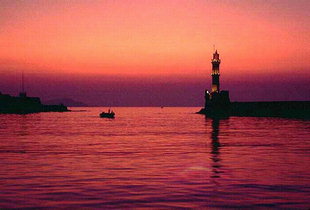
152, 157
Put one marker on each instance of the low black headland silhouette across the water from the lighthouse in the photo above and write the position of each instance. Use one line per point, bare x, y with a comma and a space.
23, 104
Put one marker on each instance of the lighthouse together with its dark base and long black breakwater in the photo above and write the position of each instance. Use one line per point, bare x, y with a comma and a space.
218, 104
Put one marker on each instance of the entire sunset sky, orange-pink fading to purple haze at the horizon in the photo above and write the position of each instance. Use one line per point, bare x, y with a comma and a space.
155, 52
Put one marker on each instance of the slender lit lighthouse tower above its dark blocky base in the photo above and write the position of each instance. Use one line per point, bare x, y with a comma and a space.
215, 72
